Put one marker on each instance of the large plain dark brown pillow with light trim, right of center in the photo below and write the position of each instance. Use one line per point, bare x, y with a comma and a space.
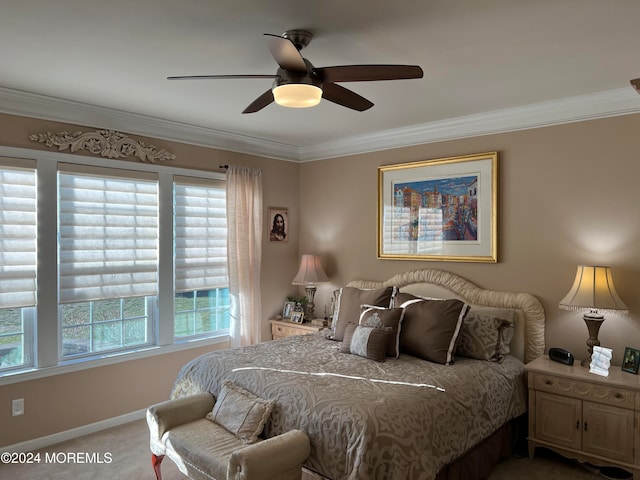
430, 329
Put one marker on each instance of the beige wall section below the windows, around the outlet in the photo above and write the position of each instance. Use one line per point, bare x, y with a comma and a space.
71, 400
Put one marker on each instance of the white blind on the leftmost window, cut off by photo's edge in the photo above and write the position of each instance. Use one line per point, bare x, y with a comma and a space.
17, 235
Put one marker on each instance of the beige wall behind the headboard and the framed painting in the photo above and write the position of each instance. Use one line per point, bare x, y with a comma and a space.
568, 195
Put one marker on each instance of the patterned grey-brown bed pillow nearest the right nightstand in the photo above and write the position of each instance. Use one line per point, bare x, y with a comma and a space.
486, 333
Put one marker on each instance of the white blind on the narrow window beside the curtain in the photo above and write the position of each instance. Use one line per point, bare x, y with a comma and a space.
200, 235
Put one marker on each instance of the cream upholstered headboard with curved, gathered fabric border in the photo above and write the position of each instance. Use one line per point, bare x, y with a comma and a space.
528, 341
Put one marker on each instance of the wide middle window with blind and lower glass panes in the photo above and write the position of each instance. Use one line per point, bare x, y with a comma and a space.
108, 259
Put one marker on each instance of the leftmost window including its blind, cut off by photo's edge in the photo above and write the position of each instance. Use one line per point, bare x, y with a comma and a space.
17, 262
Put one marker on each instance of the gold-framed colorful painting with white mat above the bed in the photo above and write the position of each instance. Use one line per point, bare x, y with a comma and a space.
443, 209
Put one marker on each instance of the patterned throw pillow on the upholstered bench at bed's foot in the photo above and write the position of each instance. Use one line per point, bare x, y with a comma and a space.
240, 412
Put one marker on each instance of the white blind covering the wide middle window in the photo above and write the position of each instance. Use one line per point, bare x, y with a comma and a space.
108, 229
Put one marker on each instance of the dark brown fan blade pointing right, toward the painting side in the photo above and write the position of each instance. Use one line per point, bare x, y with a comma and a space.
367, 73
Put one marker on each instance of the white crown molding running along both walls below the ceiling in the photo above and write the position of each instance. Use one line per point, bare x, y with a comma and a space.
610, 103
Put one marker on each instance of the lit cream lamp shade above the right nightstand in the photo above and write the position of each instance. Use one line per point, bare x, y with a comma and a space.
593, 290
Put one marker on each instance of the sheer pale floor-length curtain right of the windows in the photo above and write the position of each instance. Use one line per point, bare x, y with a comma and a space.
244, 217
